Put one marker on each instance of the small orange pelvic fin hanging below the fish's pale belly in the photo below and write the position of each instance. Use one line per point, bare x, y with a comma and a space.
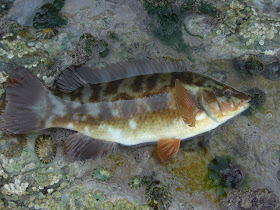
167, 149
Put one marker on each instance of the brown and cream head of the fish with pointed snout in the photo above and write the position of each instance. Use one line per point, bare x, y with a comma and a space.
222, 102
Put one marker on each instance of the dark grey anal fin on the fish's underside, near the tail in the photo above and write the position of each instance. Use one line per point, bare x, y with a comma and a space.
81, 147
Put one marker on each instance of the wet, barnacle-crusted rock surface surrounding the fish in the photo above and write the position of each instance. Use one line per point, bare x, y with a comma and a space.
234, 42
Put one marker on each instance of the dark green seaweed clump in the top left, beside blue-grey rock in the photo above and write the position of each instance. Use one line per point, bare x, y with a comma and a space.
48, 16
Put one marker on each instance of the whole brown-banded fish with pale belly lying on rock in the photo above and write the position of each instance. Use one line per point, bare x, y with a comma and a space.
128, 103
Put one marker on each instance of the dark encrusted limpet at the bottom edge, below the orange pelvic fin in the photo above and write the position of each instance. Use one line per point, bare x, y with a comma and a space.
158, 195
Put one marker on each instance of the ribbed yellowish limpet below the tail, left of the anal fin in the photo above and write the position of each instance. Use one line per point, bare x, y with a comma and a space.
45, 148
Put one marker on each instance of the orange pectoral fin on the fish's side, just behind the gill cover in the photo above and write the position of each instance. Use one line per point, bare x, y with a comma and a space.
187, 106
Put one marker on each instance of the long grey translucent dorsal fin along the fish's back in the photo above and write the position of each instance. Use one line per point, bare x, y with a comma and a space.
72, 79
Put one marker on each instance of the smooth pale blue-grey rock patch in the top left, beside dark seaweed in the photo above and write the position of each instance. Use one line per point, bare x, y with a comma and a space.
23, 11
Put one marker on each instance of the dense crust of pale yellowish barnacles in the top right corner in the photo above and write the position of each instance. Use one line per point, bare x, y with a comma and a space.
244, 27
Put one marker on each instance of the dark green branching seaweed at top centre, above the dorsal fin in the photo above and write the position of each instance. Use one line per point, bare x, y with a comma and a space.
170, 21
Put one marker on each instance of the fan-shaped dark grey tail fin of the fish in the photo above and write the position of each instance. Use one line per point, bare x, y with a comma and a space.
24, 107
